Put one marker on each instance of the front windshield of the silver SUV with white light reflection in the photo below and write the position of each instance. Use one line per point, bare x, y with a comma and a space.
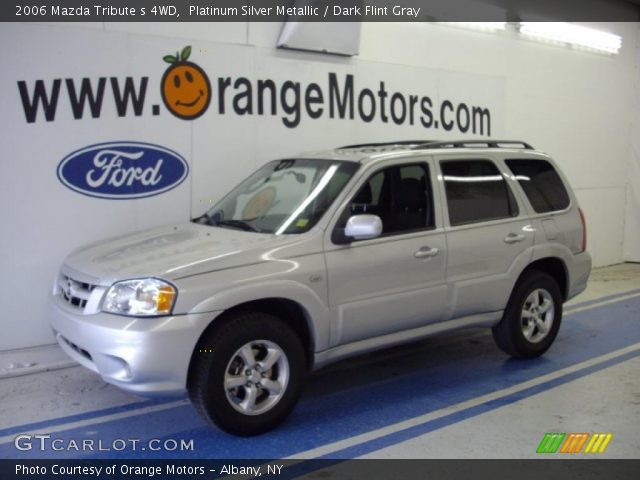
282, 197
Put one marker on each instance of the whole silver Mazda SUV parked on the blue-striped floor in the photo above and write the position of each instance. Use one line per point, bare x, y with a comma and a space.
323, 256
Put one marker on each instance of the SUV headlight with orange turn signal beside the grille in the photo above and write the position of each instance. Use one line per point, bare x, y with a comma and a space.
140, 297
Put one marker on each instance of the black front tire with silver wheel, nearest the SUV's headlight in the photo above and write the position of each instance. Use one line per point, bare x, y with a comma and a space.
217, 354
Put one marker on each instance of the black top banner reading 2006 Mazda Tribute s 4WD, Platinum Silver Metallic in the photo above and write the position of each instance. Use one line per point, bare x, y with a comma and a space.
316, 10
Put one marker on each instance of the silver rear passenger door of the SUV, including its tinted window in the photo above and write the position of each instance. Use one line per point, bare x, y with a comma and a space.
489, 240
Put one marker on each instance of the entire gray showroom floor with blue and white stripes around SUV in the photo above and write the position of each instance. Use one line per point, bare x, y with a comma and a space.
454, 396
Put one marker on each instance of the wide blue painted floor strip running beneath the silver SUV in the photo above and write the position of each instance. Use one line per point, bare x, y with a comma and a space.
341, 403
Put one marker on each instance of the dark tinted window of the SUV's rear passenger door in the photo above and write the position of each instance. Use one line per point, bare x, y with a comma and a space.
476, 192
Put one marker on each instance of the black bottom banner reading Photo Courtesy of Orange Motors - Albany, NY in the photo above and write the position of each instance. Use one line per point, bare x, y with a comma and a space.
319, 469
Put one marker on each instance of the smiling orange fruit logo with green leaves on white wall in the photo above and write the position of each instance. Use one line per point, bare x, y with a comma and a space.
185, 87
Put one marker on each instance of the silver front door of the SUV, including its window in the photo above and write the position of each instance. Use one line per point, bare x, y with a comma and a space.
397, 281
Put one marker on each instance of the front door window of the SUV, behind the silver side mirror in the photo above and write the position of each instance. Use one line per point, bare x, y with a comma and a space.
401, 196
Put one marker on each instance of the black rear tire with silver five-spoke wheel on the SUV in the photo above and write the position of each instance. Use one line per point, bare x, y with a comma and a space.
510, 335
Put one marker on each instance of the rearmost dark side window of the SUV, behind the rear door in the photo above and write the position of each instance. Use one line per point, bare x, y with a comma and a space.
541, 183
